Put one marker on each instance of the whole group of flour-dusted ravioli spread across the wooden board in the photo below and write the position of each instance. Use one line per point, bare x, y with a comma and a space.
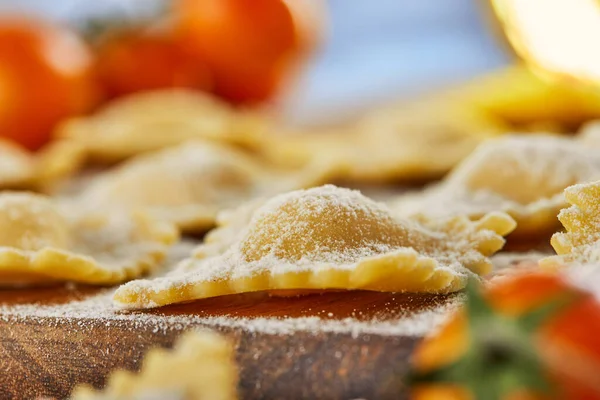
276, 212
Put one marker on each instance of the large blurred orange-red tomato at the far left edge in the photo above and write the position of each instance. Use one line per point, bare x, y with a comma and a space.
45, 76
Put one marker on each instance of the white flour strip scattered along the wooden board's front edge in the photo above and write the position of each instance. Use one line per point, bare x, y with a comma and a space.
98, 309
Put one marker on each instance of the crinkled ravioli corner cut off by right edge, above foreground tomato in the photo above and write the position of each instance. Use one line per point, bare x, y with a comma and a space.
580, 244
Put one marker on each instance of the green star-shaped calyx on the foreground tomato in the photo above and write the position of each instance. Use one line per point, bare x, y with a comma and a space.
502, 357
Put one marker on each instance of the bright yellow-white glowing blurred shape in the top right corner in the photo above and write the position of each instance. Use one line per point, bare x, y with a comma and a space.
557, 36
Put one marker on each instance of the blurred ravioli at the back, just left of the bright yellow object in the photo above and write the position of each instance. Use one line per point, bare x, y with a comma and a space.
423, 141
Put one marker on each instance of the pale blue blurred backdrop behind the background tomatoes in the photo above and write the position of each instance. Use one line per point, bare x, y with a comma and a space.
369, 52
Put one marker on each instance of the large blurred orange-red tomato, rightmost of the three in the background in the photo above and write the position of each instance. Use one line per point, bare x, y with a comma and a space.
251, 46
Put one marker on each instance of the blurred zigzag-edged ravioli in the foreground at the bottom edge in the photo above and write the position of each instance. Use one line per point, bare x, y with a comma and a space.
201, 366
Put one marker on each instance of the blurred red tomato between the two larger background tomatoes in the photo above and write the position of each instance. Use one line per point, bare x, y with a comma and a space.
135, 61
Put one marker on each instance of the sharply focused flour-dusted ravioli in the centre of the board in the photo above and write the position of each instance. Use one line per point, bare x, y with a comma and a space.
330, 238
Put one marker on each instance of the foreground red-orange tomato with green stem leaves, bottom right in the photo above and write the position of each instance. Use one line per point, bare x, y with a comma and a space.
531, 336
